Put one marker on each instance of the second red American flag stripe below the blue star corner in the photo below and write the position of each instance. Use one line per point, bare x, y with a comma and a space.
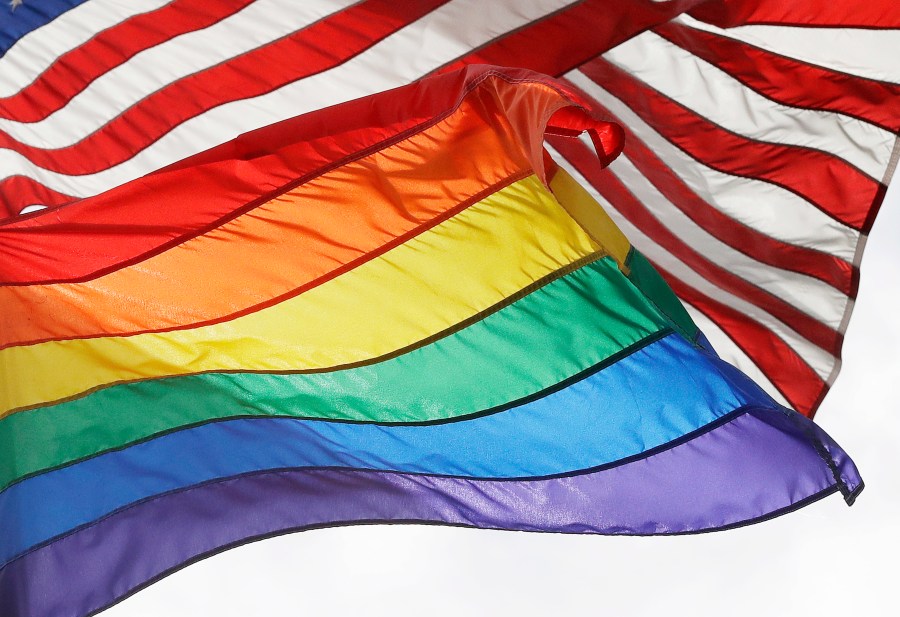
317, 48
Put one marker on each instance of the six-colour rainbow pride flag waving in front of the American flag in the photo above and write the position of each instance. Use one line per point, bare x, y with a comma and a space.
398, 309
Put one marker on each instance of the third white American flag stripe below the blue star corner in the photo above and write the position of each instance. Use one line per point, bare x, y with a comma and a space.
399, 59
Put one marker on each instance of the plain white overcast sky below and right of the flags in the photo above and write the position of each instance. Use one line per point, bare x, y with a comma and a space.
825, 559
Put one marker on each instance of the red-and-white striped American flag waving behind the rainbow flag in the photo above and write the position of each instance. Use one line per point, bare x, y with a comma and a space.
761, 135
